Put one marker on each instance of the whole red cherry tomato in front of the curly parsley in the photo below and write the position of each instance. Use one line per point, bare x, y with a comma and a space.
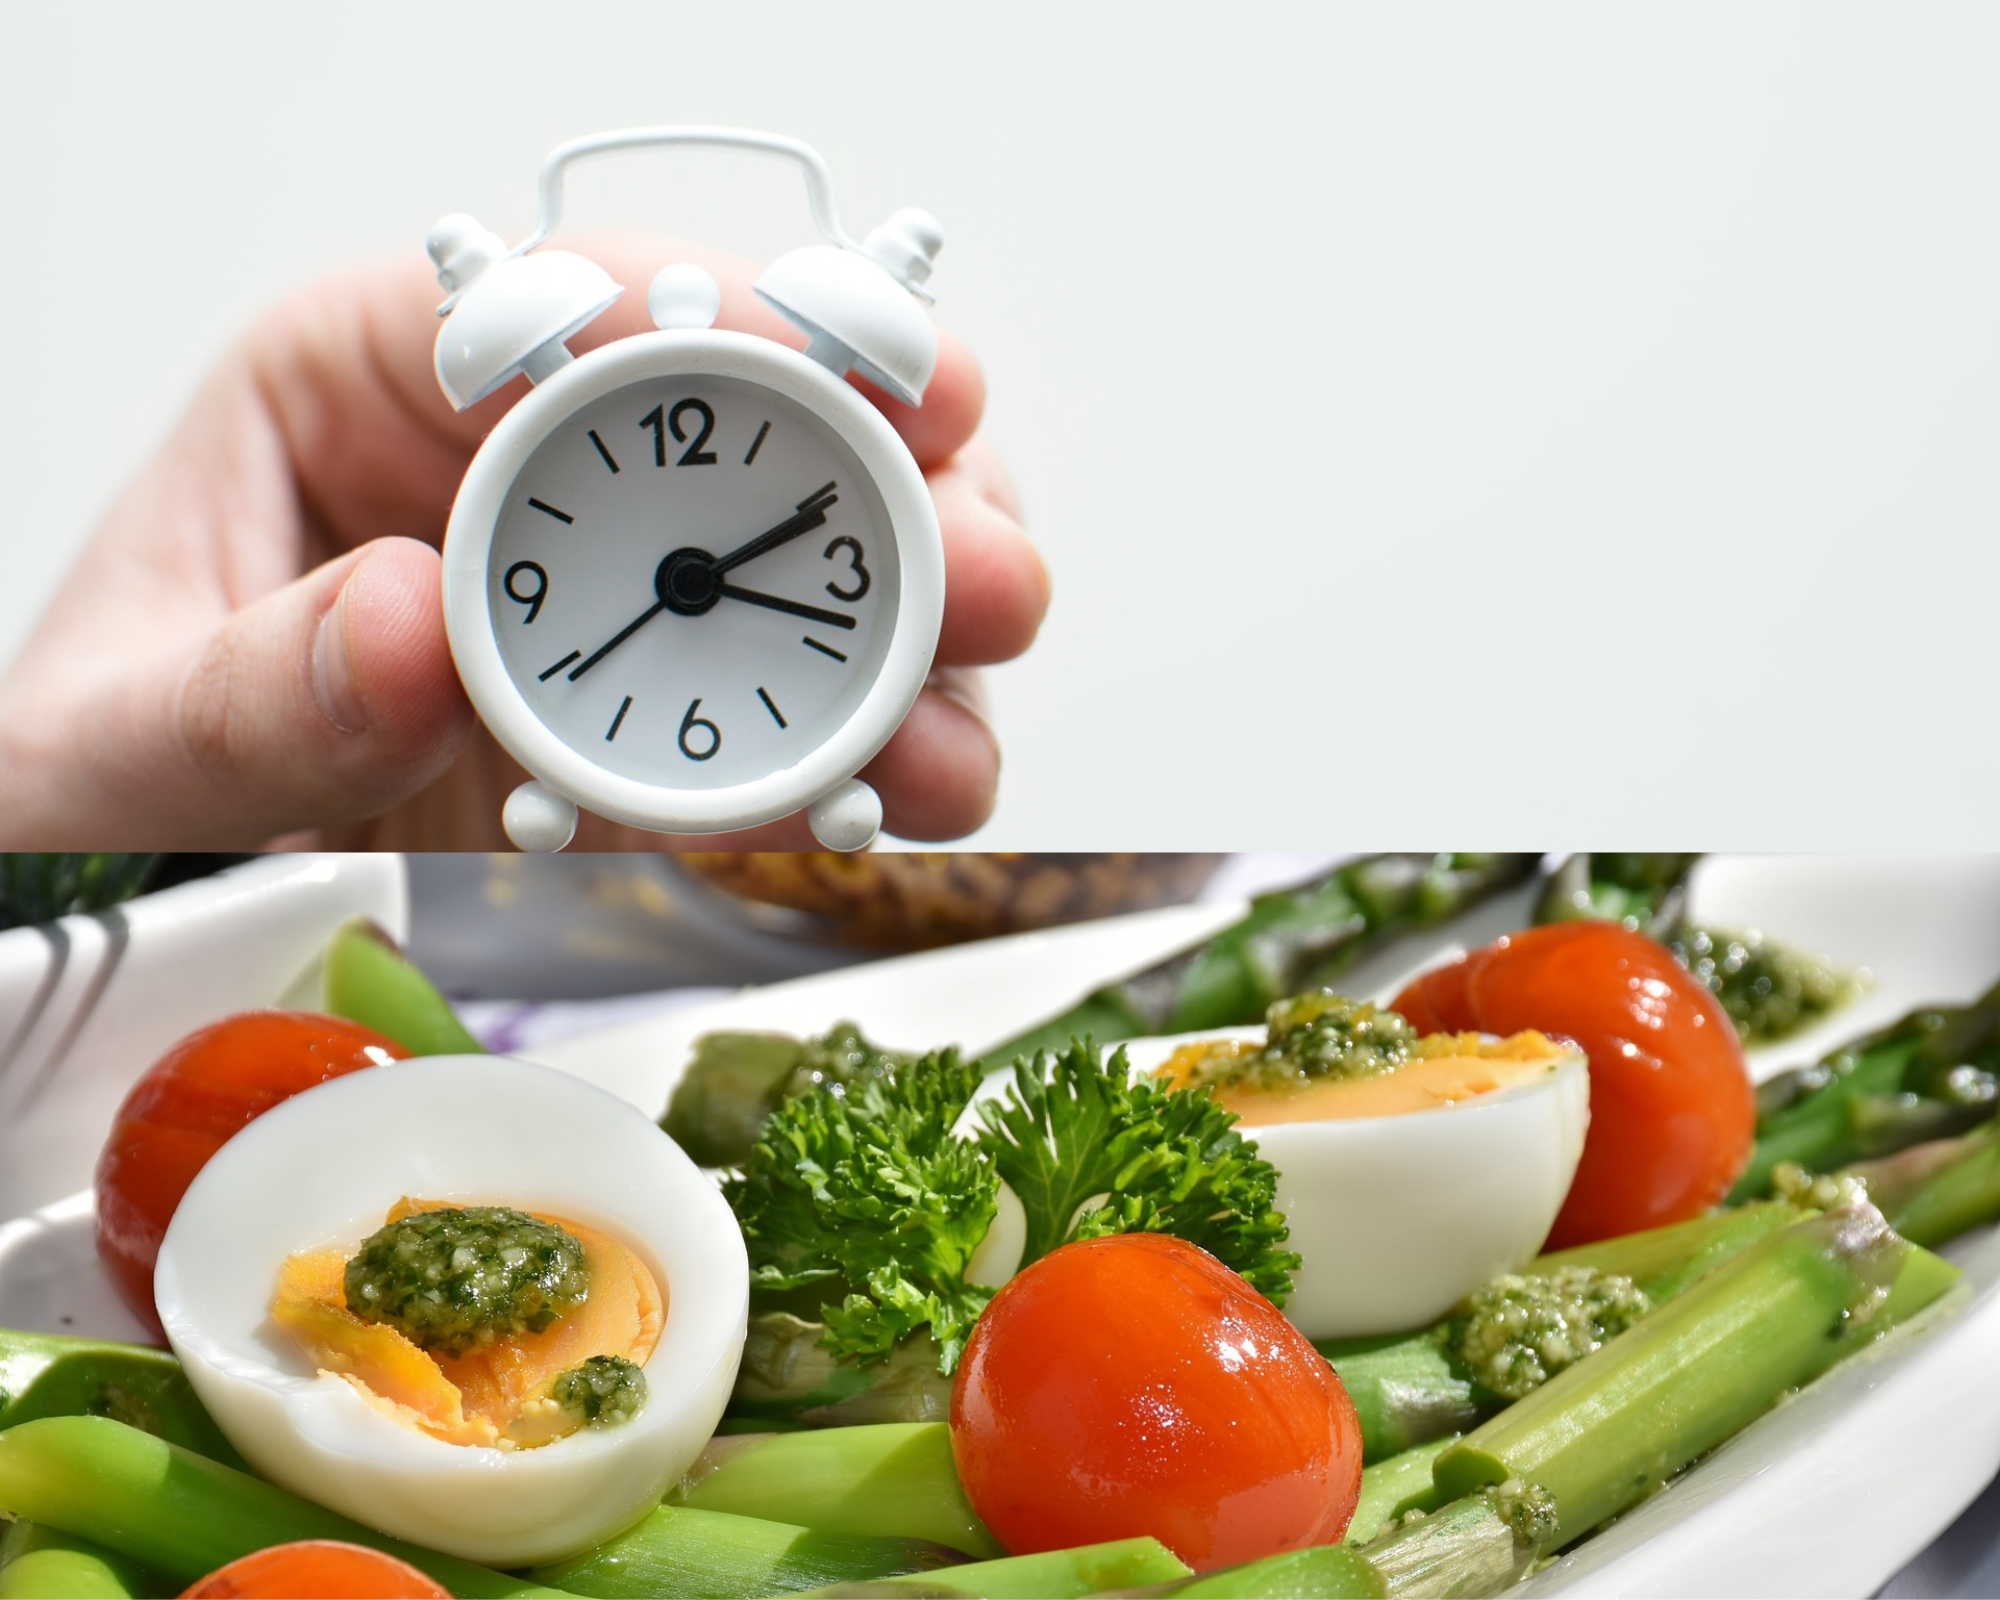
1135, 1385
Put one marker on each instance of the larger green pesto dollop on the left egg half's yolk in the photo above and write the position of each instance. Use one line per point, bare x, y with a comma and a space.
463, 1277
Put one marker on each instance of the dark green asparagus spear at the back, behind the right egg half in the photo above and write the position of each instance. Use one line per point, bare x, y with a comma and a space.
1293, 941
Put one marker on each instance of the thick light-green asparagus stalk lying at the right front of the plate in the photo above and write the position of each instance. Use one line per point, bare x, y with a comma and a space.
1691, 1375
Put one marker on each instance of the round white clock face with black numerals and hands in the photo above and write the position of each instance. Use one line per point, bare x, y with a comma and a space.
693, 581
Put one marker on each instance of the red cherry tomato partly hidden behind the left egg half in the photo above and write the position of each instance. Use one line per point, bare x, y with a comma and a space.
189, 1103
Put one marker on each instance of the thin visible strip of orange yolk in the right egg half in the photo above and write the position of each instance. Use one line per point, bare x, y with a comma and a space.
1455, 1067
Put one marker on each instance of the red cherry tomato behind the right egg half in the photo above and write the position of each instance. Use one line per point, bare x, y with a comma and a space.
1673, 1115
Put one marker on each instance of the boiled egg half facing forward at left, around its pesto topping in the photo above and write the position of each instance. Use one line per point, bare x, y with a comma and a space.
313, 1179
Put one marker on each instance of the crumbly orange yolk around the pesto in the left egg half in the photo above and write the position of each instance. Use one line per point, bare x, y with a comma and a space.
497, 1395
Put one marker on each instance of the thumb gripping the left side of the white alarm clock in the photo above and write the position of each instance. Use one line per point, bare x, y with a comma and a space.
327, 701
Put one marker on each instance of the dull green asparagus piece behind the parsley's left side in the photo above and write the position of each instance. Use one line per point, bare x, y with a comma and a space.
737, 1081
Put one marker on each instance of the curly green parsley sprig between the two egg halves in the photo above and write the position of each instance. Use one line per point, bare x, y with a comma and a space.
867, 1195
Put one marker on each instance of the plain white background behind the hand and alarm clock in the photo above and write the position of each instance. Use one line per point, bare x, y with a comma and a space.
1559, 419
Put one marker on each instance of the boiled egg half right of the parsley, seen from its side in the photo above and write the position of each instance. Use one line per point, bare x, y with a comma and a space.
1409, 1191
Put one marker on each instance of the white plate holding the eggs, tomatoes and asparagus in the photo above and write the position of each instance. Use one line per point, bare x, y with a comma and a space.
1829, 1495
